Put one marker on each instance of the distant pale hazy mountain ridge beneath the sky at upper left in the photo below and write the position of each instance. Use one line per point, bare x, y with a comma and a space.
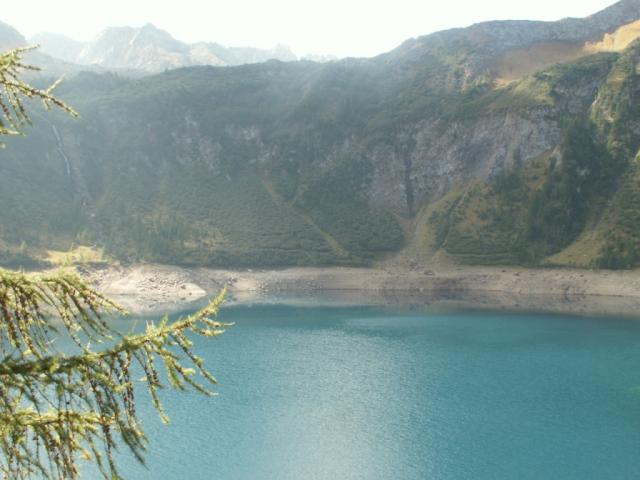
150, 49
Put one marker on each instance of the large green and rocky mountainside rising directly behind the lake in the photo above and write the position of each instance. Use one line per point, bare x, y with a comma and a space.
503, 143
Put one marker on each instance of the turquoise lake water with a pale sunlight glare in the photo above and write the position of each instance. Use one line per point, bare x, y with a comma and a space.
358, 393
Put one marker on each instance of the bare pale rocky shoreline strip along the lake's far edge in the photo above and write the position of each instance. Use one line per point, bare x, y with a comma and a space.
148, 289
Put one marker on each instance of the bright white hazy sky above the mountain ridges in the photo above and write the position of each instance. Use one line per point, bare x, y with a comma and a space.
340, 27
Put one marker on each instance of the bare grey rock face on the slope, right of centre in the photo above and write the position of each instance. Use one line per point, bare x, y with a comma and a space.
449, 154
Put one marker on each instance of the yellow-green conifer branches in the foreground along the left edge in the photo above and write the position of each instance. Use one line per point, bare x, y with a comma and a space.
58, 408
